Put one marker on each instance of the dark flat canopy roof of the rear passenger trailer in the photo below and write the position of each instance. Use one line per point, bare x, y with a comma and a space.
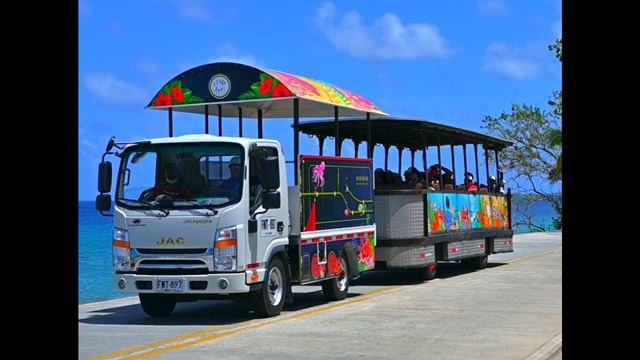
413, 134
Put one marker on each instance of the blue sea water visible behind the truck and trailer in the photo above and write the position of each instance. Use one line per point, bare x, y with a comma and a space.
95, 267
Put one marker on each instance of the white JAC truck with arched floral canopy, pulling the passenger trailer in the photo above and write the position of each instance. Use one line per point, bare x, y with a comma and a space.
212, 217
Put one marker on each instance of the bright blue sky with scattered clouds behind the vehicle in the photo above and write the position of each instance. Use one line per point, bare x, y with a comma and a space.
448, 62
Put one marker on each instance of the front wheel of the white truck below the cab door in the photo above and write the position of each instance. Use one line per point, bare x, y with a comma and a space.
269, 300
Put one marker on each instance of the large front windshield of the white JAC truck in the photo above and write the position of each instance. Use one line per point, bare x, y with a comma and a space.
183, 175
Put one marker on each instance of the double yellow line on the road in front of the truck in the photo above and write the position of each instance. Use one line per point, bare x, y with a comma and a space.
224, 331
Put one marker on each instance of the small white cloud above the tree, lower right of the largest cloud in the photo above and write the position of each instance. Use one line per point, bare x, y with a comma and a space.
513, 63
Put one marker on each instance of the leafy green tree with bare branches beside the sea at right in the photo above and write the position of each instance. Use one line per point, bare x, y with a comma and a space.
536, 156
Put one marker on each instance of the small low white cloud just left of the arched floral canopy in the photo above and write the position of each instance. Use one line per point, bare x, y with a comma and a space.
107, 87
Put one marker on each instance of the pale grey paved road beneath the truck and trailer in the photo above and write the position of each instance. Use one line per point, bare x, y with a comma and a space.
511, 310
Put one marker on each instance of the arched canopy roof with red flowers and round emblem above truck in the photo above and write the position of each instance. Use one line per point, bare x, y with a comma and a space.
234, 85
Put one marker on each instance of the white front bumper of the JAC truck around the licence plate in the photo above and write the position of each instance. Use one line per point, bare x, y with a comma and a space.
193, 284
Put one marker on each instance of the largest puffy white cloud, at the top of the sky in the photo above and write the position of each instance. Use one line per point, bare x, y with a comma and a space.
387, 38
